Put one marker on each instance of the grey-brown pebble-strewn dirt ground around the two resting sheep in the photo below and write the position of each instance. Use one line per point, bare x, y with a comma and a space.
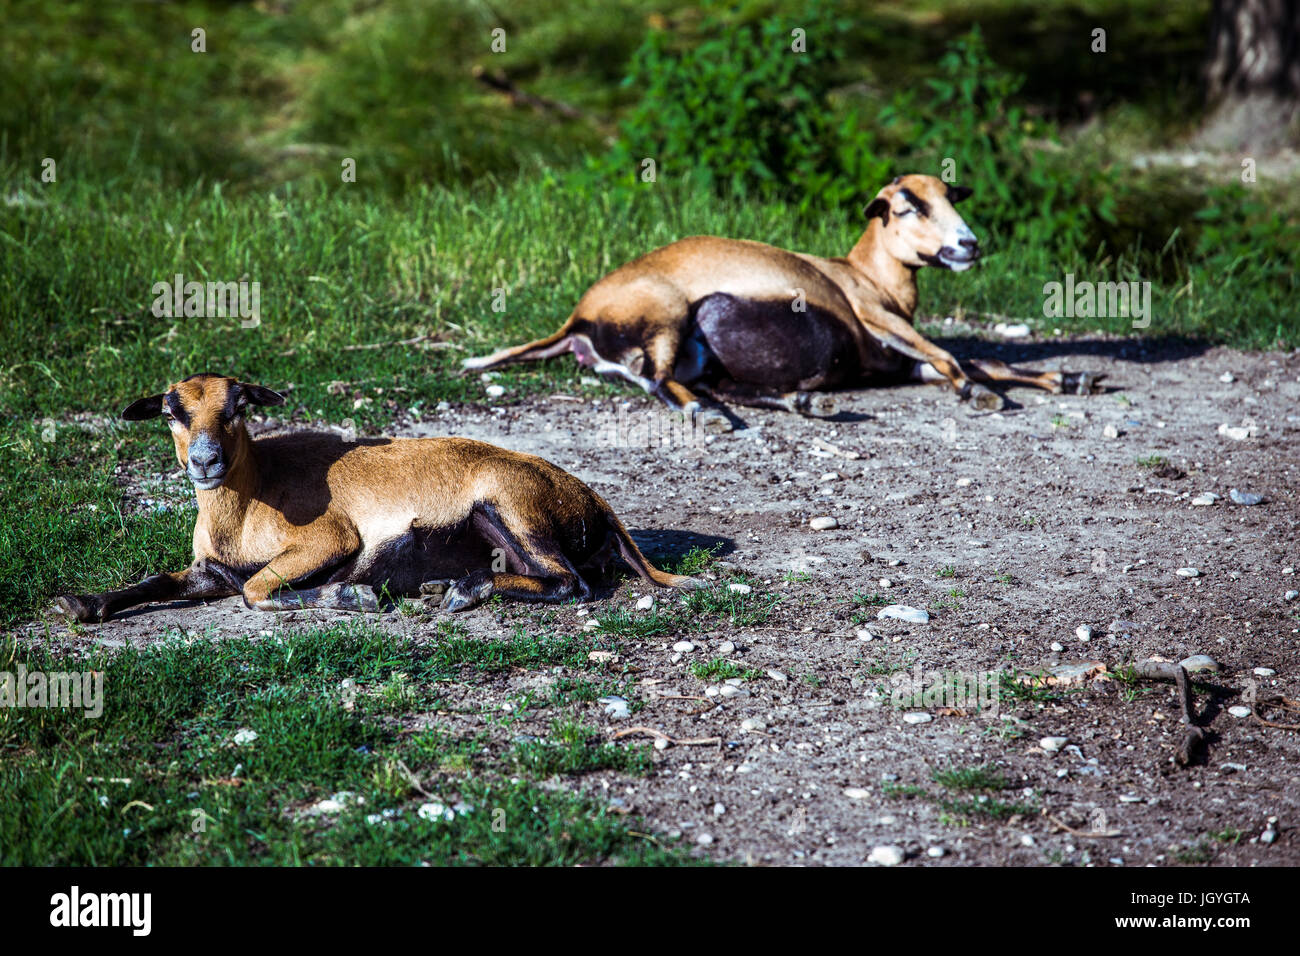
1045, 525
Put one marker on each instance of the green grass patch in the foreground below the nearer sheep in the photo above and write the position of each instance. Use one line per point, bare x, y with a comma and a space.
193, 797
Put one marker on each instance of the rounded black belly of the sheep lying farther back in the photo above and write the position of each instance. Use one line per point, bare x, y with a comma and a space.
772, 345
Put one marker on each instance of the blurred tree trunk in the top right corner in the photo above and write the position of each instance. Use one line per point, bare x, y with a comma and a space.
1253, 75
